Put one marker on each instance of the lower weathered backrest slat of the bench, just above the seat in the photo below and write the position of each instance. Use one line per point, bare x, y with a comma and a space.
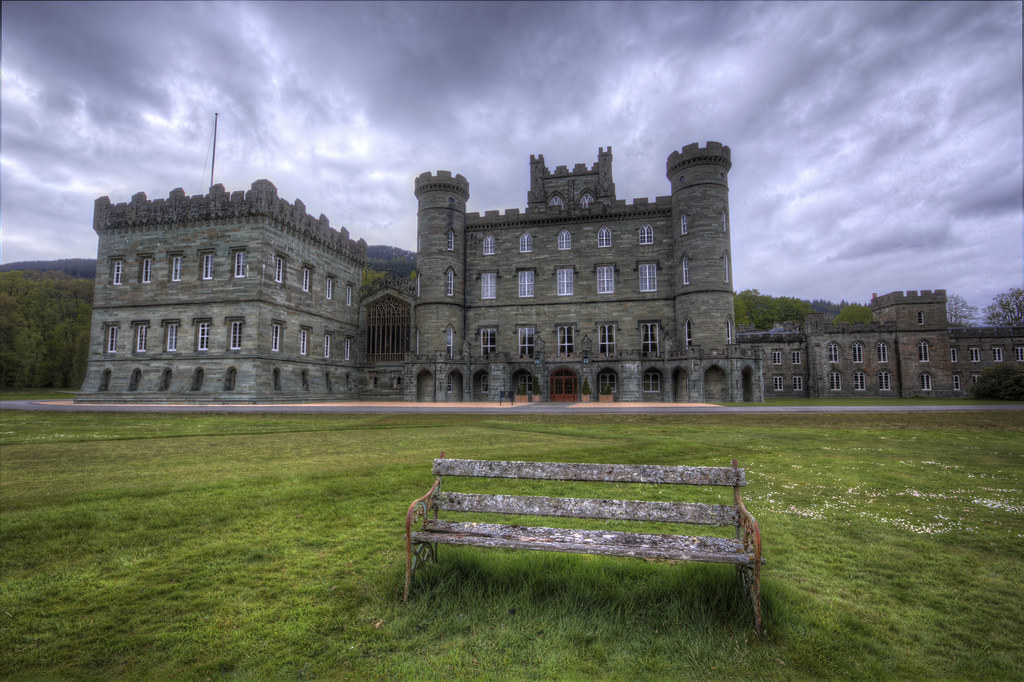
675, 513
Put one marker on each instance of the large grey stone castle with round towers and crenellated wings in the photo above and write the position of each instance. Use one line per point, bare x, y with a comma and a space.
245, 297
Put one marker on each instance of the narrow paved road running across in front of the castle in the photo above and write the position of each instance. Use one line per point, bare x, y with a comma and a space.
354, 408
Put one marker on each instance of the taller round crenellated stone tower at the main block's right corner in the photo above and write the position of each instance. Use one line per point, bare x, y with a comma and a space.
703, 257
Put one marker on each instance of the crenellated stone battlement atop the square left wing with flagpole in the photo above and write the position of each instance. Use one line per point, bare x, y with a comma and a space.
261, 200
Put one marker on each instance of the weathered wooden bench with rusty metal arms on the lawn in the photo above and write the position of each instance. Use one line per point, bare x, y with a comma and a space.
744, 551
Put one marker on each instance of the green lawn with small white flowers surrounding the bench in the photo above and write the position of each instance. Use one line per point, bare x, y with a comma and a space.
271, 546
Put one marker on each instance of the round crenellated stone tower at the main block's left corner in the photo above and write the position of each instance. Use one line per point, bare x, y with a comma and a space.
441, 263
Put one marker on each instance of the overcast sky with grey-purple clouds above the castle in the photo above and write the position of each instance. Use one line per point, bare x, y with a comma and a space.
876, 147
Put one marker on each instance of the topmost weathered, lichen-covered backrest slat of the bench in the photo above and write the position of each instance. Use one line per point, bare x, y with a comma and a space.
613, 474
